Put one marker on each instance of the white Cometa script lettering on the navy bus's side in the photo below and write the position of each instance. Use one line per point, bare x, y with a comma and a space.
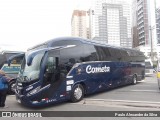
90, 69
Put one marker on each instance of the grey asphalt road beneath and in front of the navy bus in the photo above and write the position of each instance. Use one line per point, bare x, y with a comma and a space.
144, 96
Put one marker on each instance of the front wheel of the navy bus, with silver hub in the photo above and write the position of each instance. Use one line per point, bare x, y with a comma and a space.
77, 93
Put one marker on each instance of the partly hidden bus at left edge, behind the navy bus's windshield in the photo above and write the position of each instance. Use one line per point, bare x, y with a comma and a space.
13, 69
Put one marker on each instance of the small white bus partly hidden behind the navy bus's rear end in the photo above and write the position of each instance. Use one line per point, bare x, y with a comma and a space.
149, 67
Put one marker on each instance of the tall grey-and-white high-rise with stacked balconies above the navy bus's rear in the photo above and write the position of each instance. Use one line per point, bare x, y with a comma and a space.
140, 23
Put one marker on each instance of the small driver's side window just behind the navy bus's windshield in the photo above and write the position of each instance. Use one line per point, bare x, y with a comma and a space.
51, 64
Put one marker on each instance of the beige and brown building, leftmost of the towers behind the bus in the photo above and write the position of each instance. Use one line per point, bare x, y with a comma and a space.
80, 24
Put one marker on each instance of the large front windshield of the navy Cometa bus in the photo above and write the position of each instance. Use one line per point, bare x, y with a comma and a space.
31, 72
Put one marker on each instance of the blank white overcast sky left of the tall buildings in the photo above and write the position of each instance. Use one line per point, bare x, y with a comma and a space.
28, 22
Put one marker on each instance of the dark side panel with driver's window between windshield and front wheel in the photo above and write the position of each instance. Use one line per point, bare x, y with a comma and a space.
54, 76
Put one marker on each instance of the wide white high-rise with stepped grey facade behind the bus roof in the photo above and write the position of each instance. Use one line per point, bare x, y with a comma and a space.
112, 22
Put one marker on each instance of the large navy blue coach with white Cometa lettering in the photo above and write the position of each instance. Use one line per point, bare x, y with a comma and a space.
68, 68
